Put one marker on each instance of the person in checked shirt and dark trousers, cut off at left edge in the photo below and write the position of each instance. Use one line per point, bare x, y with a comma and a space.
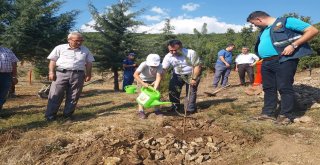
8, 73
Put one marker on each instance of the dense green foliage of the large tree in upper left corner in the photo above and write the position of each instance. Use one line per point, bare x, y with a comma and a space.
31, 28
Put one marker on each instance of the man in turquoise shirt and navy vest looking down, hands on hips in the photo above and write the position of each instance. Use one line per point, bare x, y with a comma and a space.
280, 61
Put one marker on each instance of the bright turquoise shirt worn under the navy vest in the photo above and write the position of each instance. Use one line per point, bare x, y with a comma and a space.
266, 48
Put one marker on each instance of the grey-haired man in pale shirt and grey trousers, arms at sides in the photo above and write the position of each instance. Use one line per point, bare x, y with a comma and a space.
70, 66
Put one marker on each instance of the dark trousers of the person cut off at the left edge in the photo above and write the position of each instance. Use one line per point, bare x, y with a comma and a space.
5, 84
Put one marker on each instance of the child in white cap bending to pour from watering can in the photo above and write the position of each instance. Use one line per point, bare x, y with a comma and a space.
149, 73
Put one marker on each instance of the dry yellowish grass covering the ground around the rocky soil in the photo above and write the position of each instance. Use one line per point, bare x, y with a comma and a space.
101, 110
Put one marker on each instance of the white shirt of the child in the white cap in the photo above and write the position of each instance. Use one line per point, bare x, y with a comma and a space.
148, 73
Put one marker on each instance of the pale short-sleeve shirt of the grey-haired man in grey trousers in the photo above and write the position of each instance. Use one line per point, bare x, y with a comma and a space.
71, 59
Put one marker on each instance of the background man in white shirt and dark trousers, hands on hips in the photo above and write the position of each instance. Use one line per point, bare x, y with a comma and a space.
244, 64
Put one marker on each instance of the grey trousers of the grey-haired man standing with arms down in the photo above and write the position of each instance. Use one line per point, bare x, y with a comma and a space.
69, 83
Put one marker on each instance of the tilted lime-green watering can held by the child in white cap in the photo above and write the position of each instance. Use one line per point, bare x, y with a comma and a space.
150, 97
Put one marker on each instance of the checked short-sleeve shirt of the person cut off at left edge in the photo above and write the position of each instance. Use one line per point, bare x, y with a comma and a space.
7, 57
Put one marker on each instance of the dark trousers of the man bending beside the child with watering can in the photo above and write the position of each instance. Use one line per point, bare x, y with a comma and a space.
175, 87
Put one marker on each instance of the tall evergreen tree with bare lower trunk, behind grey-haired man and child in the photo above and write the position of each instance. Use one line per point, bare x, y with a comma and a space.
116, 27
